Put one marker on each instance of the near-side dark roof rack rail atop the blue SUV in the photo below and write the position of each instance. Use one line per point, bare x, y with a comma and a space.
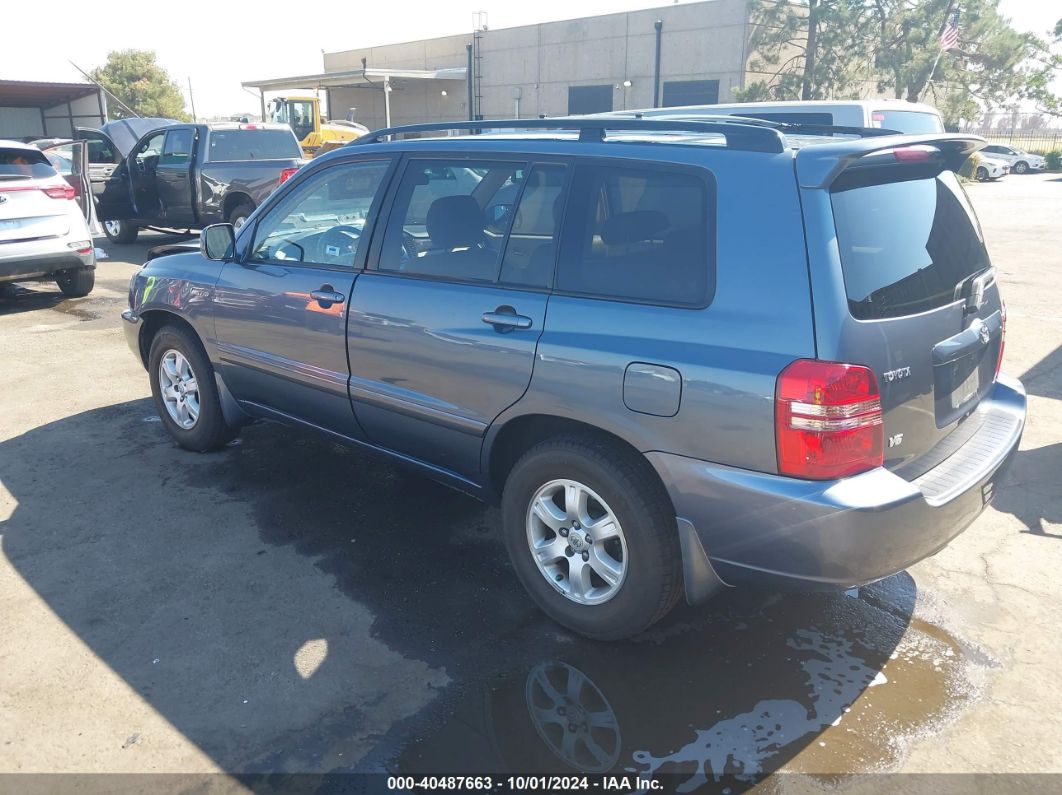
741, 134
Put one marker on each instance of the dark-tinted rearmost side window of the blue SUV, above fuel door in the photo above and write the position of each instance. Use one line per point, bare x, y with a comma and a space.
640, 234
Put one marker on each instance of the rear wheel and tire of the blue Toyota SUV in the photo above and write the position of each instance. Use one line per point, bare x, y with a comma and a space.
592, 537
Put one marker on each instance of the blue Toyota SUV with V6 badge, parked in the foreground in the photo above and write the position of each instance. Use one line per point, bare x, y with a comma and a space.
673, 377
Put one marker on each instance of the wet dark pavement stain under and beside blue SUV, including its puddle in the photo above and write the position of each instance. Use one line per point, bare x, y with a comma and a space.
829, 684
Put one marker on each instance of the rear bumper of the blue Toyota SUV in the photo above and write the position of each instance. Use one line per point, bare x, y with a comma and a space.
766, 529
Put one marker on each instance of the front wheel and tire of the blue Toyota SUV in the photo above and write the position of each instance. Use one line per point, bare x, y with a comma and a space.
185, 393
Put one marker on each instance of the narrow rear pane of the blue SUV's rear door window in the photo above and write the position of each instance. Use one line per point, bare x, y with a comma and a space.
532, 251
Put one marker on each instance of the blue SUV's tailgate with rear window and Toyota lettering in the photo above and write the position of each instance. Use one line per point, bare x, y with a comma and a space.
923, 307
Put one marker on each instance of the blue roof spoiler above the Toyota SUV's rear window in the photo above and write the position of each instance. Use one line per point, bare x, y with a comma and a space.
819, 166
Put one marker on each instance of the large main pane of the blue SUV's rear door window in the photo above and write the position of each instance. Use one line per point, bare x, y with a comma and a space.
451, 219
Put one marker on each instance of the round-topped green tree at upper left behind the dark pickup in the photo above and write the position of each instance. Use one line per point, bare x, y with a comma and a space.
138, 80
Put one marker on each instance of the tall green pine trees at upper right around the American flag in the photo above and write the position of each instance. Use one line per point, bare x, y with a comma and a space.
823, 49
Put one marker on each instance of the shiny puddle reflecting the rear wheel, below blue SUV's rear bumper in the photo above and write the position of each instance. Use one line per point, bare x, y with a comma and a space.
813, 684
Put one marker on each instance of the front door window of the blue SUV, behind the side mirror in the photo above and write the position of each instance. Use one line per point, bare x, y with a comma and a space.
322, 221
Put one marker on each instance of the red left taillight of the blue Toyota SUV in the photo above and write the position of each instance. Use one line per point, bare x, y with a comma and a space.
828, 421
